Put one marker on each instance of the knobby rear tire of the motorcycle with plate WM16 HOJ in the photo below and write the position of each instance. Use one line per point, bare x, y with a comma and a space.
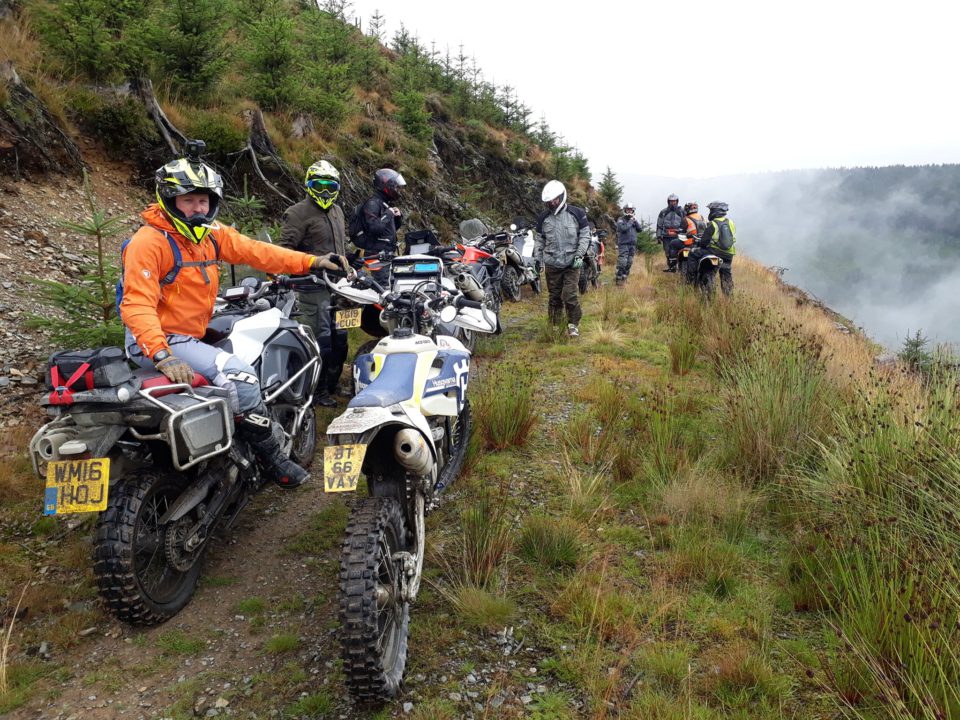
134, 575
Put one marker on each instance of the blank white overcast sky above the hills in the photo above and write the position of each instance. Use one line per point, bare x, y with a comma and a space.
706, 88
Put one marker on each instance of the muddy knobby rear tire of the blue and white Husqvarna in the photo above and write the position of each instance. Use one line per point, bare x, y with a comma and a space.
374, 634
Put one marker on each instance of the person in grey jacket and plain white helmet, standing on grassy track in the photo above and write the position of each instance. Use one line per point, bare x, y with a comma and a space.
563, 236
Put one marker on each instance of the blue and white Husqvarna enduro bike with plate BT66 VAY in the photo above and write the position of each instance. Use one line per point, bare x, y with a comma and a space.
406, 431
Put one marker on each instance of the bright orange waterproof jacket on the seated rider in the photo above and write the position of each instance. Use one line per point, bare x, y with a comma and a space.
152, 311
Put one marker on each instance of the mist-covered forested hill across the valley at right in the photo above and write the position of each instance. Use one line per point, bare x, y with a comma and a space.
881, 246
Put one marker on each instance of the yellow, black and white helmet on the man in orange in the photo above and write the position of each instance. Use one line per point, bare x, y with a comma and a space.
184, 176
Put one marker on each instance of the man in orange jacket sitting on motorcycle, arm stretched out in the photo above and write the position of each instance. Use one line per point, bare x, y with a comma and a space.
170, 275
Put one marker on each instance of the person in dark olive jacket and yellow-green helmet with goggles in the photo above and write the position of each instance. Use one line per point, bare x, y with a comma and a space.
315, 225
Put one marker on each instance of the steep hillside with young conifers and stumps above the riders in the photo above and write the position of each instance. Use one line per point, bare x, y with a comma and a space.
274, 85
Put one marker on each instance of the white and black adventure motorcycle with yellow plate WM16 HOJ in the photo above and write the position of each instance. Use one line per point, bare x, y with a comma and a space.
160, 461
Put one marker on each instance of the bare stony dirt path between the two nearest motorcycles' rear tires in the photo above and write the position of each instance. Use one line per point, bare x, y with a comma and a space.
257, 634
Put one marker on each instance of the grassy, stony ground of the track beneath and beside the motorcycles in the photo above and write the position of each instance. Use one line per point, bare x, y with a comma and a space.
701, 519
